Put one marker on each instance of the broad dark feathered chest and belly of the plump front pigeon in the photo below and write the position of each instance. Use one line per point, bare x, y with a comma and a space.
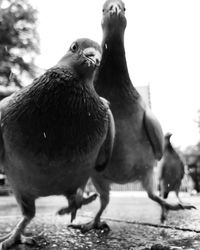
52, 134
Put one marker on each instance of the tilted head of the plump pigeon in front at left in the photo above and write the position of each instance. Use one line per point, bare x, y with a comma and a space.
83, 57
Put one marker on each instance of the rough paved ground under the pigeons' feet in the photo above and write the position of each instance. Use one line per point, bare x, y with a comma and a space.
133, 218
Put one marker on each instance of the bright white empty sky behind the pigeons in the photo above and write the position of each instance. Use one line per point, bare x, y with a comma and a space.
162, 42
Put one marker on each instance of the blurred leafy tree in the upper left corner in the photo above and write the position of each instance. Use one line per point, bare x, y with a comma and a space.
18, 42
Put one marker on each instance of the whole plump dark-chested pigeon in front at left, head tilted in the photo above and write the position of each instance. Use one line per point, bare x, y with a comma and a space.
53, 133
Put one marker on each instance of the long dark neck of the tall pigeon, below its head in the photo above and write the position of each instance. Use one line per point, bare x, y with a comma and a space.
112, 80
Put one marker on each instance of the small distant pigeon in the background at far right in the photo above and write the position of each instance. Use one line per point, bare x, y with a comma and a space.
170, 170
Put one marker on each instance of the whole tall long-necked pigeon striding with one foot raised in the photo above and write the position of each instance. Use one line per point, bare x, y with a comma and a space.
139, 140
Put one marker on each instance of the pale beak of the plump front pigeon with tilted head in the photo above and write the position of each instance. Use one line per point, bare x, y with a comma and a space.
93, 56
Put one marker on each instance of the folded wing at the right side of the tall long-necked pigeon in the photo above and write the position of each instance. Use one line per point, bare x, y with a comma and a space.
154, 133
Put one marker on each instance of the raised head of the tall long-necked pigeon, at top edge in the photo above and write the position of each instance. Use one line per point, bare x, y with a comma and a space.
114, 16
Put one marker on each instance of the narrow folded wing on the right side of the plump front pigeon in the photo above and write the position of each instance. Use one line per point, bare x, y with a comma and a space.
106, 149
